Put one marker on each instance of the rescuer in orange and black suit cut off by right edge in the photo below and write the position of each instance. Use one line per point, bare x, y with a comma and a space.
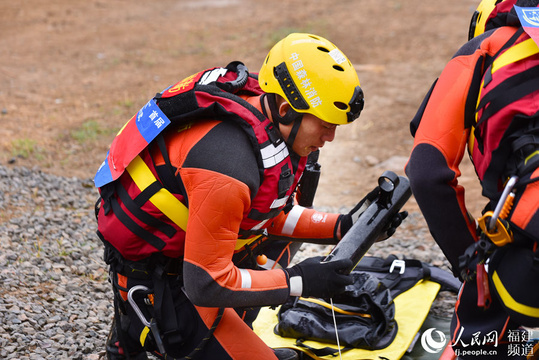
486, 102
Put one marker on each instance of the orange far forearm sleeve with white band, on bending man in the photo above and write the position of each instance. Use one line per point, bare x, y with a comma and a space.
307, 225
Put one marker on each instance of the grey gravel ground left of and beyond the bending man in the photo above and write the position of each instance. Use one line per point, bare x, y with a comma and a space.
55, 300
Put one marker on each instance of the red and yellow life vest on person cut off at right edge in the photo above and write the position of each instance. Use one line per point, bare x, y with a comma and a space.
502, 110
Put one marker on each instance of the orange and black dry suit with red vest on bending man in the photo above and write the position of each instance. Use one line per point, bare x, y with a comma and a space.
209, 190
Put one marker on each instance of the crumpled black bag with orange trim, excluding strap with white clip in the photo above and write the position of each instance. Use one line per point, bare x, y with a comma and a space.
364, 314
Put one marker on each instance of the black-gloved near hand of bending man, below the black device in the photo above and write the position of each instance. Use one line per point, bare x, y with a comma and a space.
322, 280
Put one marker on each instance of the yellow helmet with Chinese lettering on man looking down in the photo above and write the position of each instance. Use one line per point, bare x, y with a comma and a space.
314, 76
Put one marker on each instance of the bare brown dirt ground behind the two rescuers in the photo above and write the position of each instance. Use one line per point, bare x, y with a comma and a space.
73, 72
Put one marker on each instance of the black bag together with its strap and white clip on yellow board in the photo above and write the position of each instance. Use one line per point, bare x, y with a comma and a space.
365, 312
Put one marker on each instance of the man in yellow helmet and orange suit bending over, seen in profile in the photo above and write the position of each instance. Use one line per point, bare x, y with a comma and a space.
200, 227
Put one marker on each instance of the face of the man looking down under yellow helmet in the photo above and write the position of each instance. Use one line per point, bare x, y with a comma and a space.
312, 134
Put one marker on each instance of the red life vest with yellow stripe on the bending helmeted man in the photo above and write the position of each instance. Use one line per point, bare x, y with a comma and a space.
142, 213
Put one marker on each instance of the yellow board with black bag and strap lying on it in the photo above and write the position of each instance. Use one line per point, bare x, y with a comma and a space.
380, 313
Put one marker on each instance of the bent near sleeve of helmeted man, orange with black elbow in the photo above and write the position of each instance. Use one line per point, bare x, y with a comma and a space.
216, 207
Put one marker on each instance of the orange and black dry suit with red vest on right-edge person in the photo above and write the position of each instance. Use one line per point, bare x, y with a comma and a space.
485, 101
